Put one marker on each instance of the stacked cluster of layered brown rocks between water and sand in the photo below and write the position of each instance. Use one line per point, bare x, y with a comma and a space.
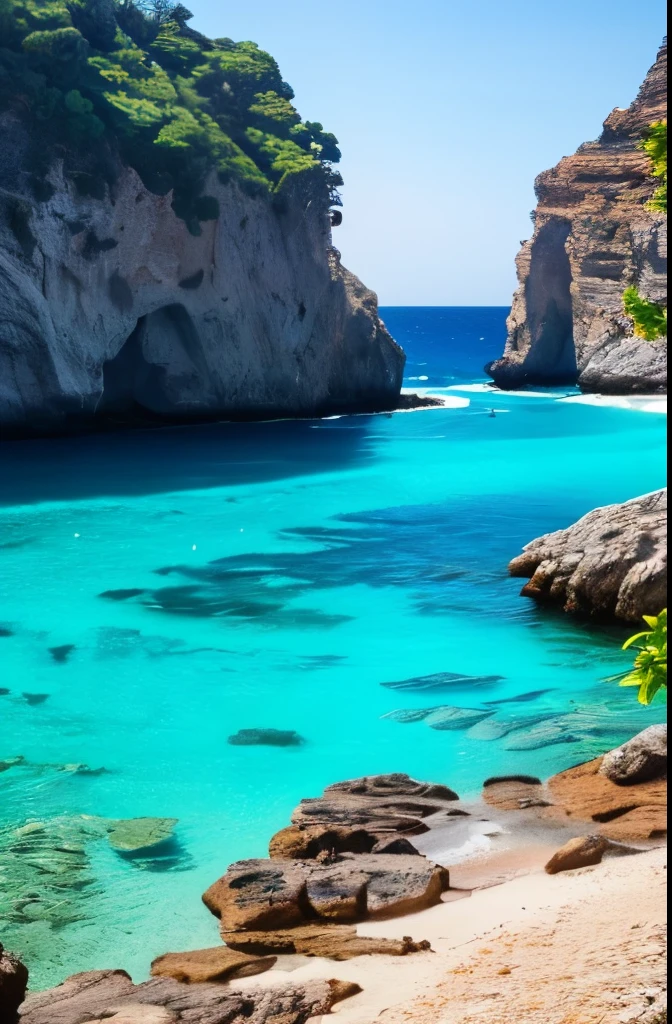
345, 860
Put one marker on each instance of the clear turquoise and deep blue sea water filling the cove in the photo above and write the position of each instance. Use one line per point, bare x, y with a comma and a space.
286, 571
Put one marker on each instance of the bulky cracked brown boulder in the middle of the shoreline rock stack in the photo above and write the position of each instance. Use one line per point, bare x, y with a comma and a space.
266, 895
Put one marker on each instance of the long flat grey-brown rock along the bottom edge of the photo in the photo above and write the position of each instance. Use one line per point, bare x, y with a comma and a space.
104, 996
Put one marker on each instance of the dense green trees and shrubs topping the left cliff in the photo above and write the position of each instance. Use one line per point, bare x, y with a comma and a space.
102, 77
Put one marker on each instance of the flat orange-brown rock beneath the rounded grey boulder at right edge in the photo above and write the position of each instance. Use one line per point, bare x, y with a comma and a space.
584, 794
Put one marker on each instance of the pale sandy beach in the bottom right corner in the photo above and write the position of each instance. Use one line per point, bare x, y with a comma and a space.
579, 948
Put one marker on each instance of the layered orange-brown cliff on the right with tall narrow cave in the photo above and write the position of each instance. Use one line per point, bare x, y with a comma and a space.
594, 237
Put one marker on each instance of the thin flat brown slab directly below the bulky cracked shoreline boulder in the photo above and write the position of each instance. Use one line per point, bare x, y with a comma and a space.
337, 943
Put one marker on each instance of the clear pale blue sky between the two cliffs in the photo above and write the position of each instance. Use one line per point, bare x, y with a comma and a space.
446, 112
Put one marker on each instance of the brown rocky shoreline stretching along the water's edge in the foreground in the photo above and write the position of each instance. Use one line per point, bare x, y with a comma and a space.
351, 857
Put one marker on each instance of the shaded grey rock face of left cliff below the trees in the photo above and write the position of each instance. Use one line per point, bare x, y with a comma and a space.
111, 312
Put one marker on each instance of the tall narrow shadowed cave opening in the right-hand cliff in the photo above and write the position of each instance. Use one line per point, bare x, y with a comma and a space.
553, 355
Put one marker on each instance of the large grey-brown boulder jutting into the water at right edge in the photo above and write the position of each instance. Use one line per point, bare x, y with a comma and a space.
611, 564
